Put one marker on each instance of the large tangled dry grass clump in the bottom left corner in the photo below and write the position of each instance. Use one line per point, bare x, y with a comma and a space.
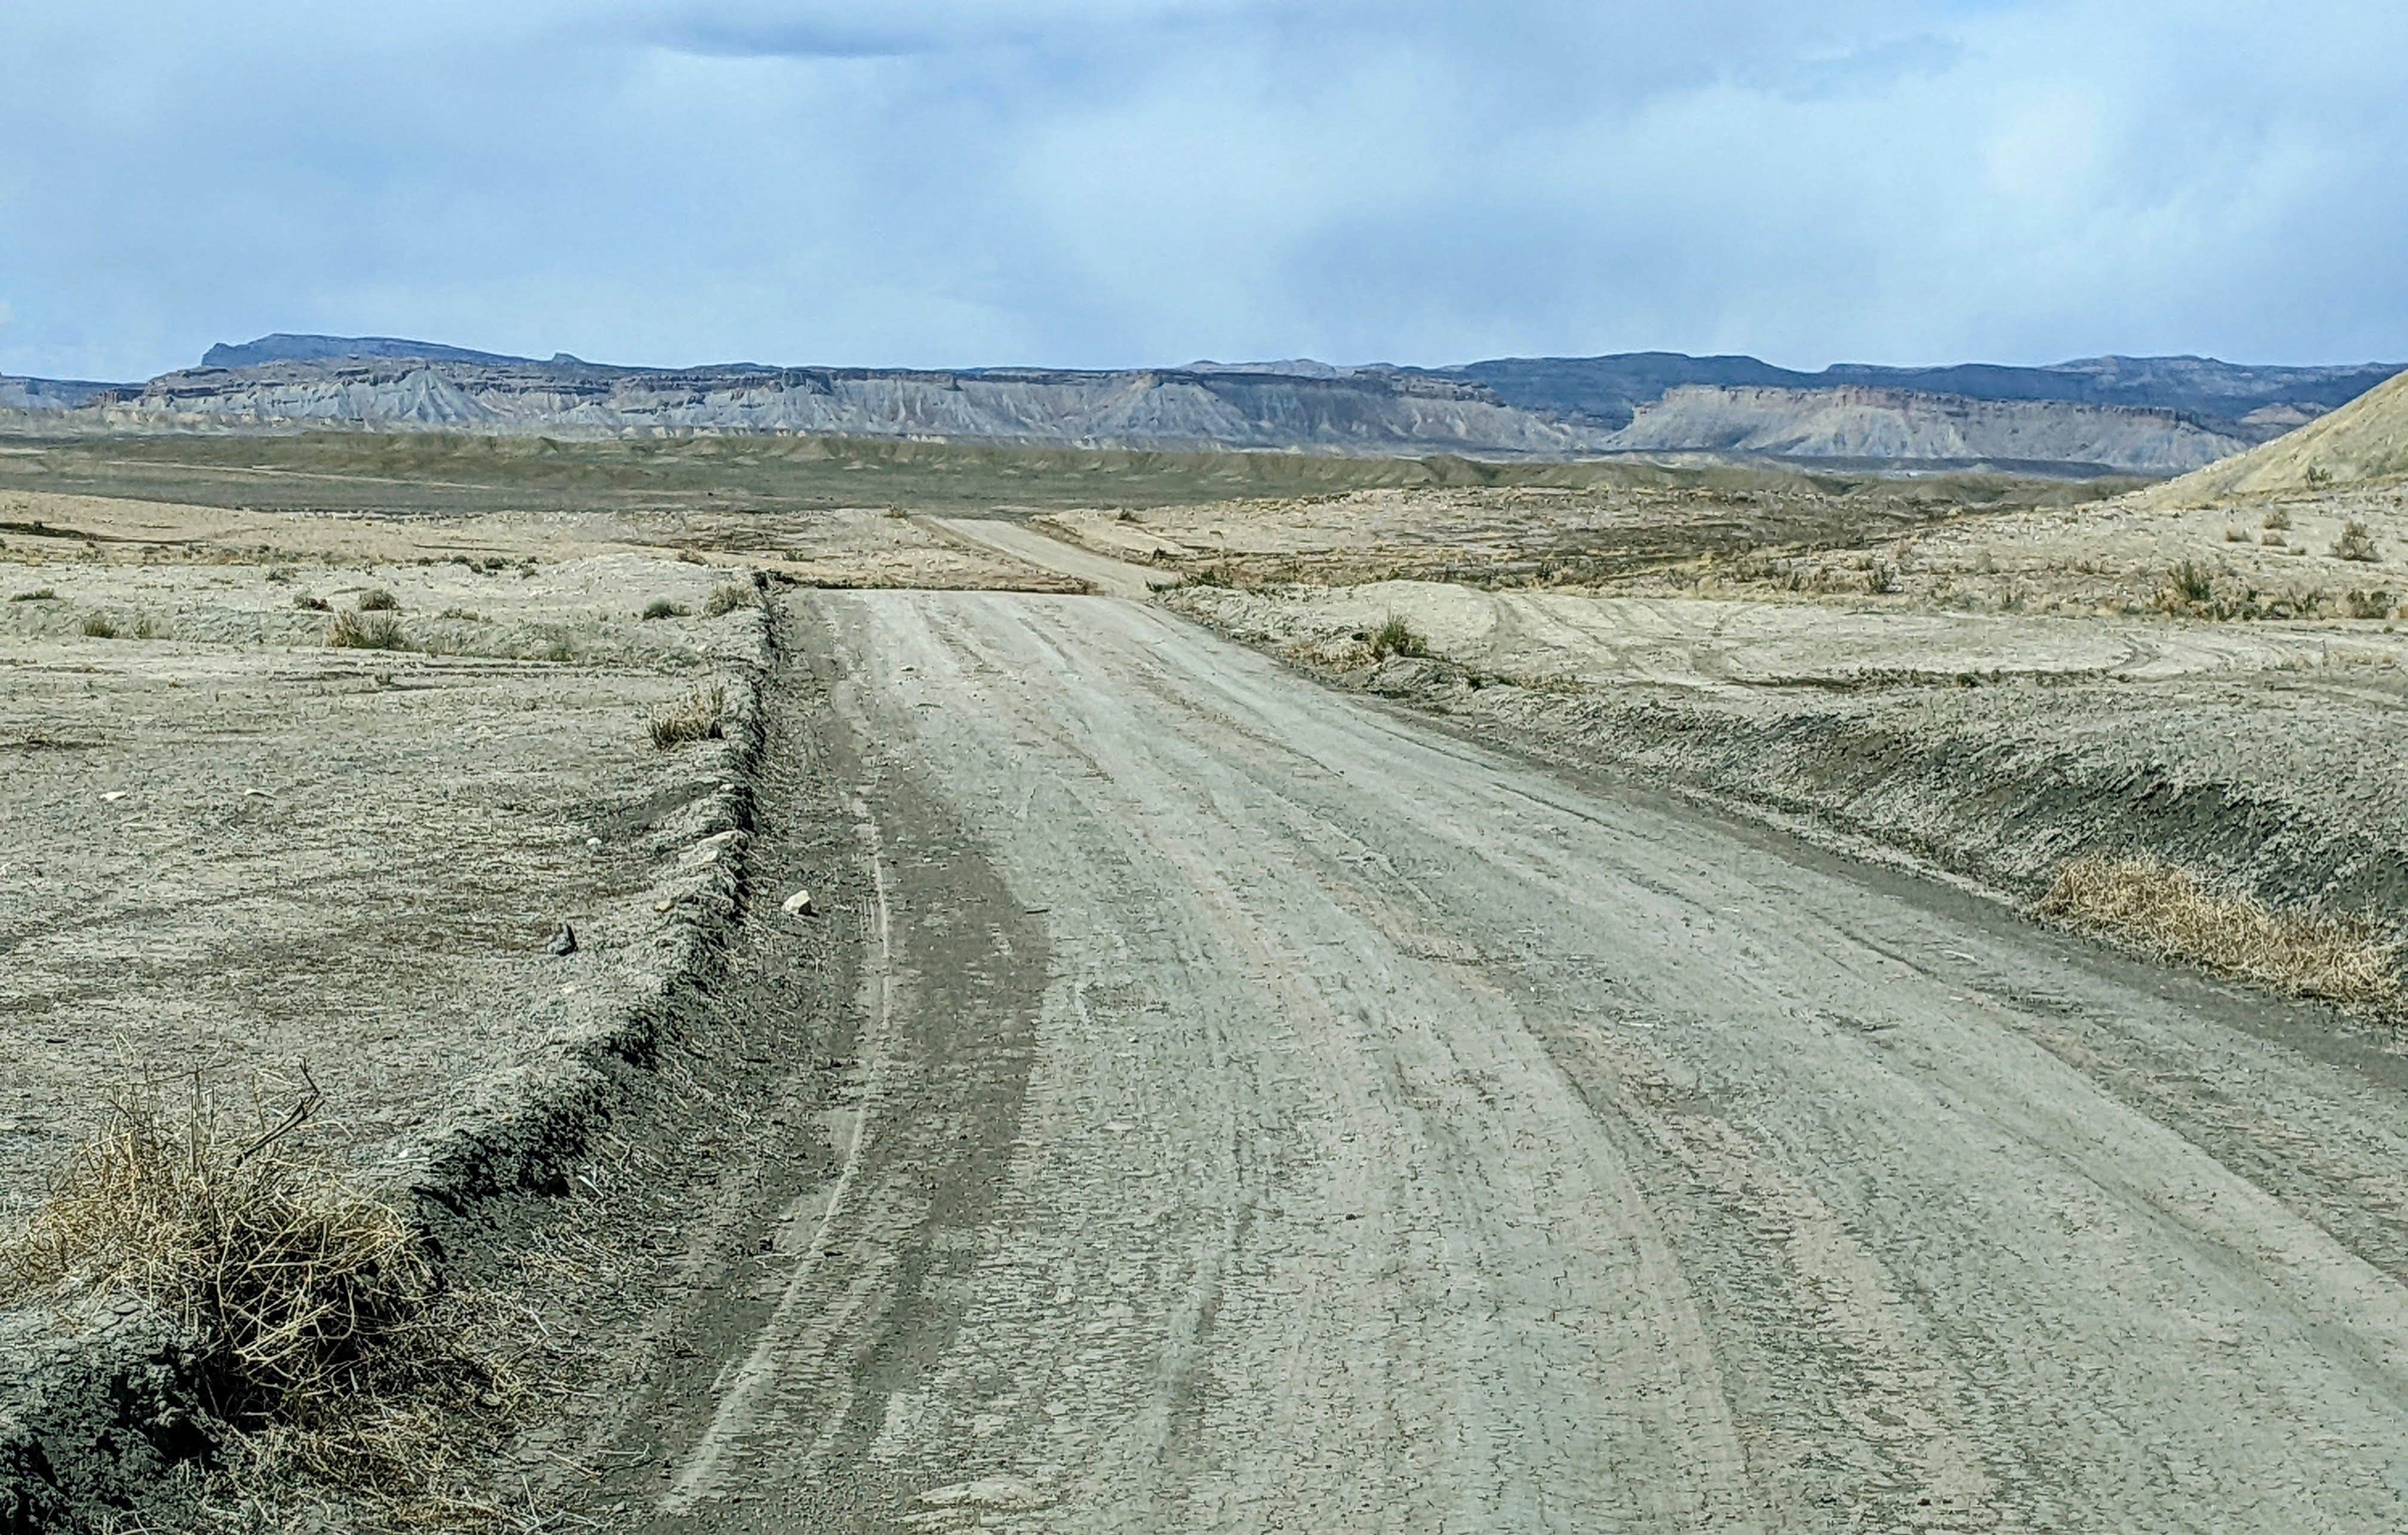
324, 1336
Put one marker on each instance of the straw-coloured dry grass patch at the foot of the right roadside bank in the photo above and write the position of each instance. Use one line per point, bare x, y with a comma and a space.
2171, 912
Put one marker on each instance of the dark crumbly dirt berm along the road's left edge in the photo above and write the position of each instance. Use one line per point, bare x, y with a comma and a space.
100, 1408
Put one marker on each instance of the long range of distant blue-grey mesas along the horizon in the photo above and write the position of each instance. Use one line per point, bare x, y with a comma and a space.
2096, 416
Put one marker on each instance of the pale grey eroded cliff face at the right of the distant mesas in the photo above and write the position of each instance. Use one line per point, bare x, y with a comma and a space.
1918, 428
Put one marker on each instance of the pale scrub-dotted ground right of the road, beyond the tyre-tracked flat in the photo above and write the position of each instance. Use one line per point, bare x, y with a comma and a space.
1899, 546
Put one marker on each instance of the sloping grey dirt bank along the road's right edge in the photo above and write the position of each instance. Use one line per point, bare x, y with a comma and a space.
1995, 813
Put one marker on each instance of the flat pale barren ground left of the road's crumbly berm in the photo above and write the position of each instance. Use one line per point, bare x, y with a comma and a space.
240, 849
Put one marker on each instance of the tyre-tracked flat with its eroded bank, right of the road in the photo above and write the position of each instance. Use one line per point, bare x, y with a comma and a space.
2267, 758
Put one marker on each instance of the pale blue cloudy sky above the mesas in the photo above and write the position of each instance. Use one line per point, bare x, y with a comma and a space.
1126, 182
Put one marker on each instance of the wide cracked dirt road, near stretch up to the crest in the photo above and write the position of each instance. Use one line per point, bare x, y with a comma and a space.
1277, 1115
